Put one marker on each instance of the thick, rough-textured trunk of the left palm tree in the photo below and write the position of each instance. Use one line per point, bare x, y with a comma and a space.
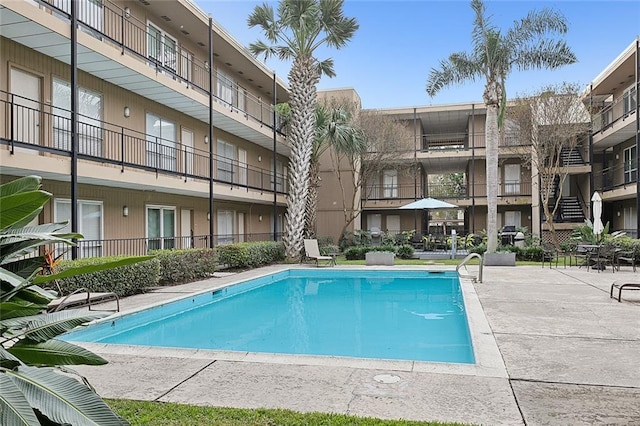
303, 77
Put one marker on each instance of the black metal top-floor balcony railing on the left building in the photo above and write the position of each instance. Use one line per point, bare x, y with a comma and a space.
116, 26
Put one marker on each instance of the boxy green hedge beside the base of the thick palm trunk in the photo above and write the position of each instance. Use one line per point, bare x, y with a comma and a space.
244, 255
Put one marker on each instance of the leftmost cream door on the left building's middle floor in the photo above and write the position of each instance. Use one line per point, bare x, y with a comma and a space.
26, 88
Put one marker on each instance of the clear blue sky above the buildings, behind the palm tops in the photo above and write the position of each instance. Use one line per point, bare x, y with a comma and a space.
389, 58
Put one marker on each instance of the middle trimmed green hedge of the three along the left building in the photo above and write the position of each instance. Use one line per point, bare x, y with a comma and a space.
185, 265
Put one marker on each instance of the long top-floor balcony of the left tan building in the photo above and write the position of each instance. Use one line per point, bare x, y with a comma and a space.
130, 56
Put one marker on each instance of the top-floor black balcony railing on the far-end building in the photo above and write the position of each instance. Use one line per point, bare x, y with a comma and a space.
462, 141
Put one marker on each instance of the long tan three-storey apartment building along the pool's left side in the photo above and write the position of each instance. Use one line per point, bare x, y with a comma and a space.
169, 141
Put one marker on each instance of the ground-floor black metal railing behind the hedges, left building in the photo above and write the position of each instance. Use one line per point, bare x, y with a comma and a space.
142, 246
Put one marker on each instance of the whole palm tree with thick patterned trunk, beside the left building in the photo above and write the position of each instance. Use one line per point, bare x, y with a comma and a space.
298, 30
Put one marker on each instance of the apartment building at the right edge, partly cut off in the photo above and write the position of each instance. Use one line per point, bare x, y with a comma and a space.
615, 139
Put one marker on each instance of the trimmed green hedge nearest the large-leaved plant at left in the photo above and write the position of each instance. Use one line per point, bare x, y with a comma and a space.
124, 281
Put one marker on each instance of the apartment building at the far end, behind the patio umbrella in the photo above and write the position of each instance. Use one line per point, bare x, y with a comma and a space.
445, 159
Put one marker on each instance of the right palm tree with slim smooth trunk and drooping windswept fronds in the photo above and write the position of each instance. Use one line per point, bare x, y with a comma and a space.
529, 44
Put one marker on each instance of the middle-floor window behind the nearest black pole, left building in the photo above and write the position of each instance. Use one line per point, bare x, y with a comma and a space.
89, 119
